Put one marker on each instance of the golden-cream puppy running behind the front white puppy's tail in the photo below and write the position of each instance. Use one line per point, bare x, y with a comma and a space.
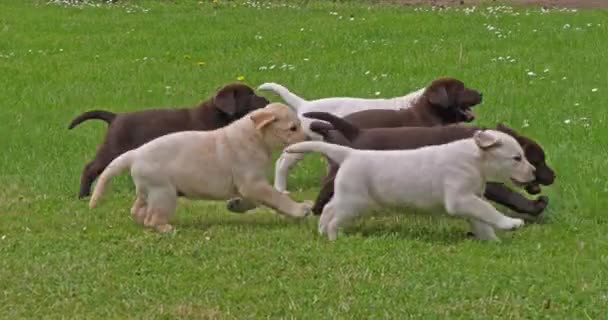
215, 165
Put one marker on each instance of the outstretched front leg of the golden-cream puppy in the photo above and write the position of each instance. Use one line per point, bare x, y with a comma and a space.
265, 194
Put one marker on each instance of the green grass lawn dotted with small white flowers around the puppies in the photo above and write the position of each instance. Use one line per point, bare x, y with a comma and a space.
60, 260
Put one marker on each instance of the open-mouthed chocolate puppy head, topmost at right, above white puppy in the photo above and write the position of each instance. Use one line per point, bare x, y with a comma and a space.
451, 100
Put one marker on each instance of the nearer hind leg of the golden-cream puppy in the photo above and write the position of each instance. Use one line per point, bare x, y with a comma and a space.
161, 205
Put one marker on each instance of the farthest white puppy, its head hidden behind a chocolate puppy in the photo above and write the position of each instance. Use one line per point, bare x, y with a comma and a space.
339, 106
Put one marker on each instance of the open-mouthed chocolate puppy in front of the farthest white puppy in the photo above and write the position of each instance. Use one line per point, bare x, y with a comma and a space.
445, 101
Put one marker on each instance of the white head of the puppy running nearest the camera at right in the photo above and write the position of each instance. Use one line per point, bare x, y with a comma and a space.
503, 159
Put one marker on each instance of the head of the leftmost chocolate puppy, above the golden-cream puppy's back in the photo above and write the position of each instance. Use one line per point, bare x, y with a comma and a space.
236, 100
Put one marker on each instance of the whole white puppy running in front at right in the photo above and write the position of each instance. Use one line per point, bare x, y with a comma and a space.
452, 176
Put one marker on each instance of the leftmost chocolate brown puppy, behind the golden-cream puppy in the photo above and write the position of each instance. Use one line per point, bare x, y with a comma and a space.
130, 130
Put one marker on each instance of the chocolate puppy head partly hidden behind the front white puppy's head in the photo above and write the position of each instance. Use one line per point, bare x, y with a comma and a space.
536, 155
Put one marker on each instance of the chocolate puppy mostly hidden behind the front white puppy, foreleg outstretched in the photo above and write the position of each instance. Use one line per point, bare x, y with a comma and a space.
341, 131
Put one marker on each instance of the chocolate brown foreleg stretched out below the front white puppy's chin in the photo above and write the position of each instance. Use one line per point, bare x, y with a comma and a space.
513, 200
